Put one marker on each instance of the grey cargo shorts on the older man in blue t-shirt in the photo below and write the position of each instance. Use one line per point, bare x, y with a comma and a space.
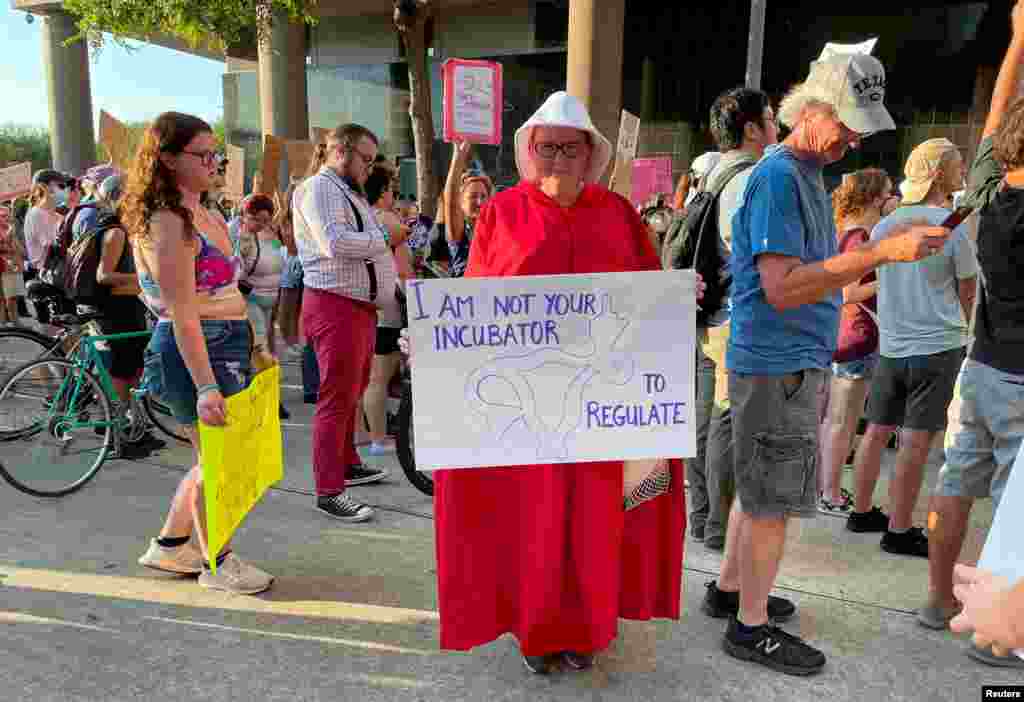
776, 442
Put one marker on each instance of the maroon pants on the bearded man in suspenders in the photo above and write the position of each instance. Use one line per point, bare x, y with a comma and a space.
343, 332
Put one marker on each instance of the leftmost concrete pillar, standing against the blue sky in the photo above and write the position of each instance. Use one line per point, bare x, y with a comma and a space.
73, 142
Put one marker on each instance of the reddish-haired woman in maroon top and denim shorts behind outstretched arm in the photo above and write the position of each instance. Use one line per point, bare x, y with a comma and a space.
859, 204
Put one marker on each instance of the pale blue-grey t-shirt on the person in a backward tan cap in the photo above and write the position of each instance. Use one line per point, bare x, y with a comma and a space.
920, 312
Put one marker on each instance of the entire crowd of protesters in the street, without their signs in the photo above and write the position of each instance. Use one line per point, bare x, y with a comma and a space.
863, 306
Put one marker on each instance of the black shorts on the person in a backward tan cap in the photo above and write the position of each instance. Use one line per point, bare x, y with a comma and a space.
915, 392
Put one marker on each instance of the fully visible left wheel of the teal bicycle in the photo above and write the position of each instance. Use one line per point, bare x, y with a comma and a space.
60, 428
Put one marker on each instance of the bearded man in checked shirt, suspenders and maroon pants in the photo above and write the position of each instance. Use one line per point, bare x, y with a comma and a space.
349, 273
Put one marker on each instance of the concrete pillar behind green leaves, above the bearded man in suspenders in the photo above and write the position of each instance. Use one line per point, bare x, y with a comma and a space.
284, 102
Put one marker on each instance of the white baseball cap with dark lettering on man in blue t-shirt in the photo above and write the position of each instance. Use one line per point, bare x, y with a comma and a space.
856, 86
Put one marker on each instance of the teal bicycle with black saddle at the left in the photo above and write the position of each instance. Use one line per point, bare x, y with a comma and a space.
74, 419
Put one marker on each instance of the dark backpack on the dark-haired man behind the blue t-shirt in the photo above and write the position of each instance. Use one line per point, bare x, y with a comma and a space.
692, 242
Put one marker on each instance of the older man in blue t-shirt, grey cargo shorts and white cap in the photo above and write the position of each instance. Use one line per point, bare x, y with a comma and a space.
787, 278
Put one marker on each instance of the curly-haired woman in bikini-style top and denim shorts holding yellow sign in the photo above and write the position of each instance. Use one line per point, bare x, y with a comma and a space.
200, 350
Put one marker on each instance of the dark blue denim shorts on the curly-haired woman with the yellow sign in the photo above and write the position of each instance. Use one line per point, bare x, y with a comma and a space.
229, 342
